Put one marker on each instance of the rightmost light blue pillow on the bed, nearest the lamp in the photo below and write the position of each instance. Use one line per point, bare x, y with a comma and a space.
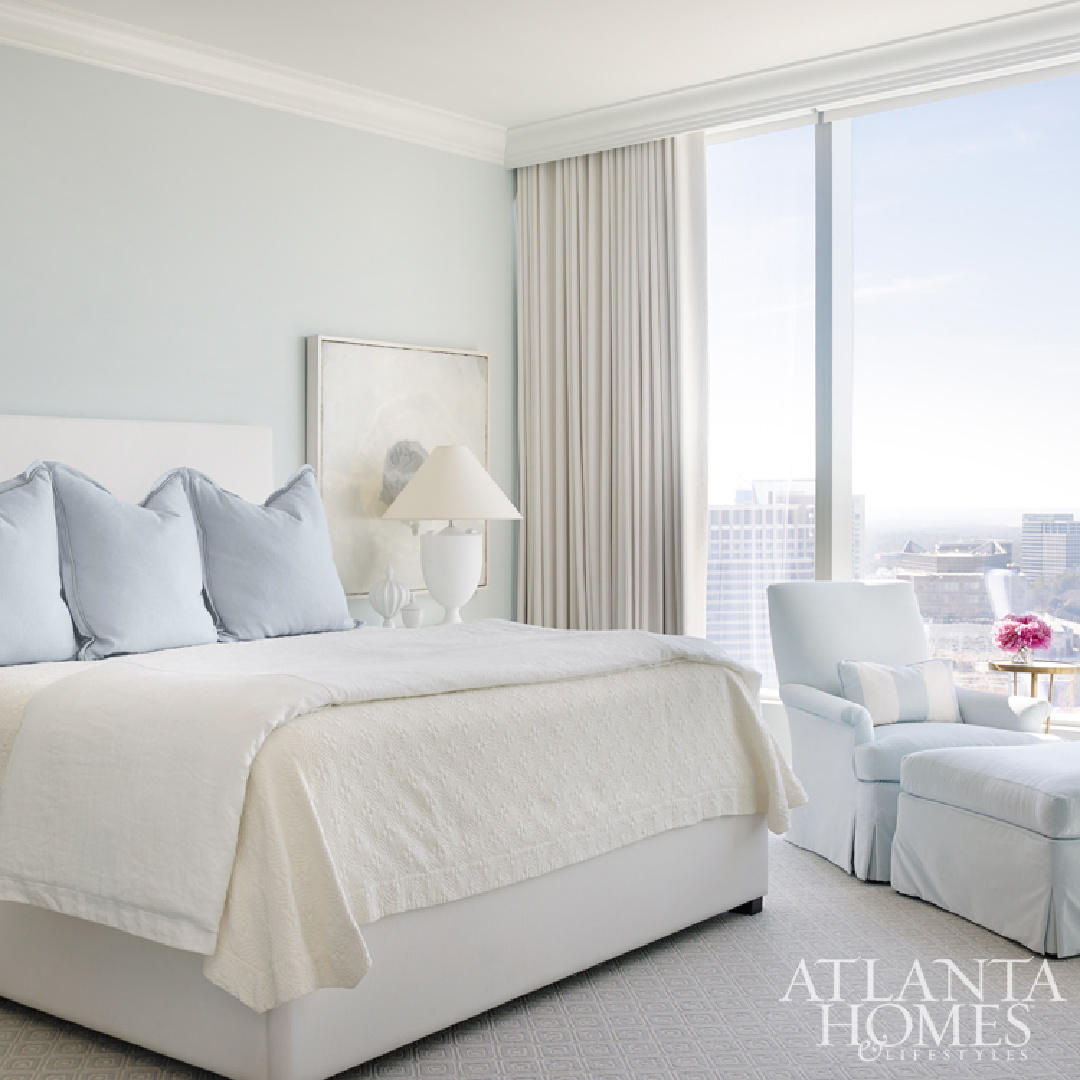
268, 571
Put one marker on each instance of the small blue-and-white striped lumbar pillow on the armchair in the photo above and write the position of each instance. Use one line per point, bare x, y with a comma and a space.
922, 692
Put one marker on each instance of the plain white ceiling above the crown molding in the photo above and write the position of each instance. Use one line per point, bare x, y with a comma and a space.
520, 62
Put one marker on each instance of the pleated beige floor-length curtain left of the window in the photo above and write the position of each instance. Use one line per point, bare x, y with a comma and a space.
613, 389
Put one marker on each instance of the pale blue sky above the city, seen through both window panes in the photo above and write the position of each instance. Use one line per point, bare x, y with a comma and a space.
967, 245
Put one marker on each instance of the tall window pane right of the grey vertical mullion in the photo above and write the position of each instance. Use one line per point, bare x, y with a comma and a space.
967, 362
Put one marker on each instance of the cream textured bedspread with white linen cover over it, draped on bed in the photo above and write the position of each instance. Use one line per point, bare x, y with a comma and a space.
124, 796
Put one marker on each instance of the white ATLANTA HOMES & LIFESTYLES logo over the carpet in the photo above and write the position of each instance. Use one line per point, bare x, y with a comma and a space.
941, 1012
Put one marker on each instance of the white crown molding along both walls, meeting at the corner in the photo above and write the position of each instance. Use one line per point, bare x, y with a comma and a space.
1035, 44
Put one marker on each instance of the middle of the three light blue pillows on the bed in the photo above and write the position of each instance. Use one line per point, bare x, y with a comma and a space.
132, 574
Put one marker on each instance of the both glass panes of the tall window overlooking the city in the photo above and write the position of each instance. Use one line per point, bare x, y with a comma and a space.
966, 221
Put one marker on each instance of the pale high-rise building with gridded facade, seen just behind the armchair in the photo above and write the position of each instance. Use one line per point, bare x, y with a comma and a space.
767, 535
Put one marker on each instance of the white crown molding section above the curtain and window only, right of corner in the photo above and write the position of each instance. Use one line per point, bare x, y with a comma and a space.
1036, 43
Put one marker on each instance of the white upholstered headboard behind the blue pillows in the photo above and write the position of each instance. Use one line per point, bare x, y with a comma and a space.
128, 456
